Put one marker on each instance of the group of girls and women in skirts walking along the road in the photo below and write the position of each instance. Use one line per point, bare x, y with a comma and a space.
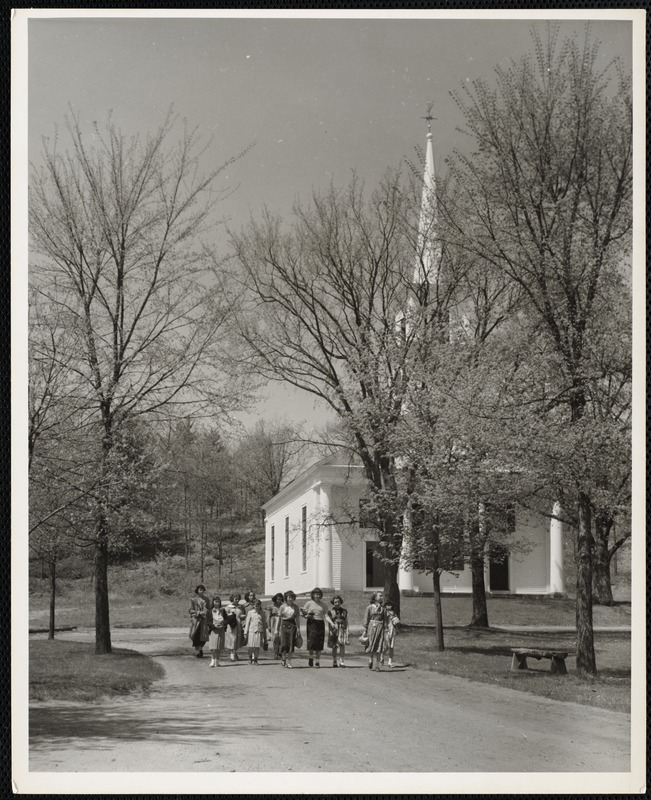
244, 622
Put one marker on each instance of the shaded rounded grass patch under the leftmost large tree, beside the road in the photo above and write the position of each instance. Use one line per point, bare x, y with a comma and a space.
61, 670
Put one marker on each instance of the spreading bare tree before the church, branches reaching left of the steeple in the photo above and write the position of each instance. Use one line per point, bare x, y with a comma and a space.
329, 302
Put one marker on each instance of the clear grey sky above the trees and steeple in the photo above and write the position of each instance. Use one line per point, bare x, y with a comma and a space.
318, 97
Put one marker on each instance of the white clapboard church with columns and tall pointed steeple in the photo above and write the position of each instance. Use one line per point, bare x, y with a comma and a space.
314, 527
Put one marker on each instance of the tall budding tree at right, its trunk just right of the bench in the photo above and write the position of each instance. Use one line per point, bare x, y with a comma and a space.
548, 190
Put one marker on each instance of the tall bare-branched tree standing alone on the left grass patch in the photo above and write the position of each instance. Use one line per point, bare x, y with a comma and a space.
116, 227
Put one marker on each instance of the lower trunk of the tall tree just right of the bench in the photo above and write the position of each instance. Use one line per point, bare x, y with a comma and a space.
585, 655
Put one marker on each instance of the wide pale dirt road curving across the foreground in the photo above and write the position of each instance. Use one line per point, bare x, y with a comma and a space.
242, 718
